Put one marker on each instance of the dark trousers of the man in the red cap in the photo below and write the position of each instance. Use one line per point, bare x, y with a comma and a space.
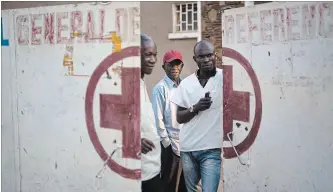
169, 171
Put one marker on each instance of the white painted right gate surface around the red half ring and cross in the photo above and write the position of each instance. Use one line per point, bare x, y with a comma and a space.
294, 147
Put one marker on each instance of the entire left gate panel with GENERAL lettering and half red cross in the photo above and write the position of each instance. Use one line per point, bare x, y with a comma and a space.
65, 87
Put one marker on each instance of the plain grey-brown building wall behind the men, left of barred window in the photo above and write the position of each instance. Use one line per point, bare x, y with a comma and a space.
156, 21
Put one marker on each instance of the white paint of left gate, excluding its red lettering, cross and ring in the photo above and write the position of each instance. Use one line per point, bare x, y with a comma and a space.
43, 110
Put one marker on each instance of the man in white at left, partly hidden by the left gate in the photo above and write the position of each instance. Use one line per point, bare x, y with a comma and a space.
150, 140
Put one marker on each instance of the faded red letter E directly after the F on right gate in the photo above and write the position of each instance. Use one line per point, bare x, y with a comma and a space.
265, 28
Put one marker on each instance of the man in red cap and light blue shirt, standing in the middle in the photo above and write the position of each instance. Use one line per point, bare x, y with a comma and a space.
166, 123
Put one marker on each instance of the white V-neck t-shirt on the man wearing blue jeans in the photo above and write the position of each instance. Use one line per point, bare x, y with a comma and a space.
205, 130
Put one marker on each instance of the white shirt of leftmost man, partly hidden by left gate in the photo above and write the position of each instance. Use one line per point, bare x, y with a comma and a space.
150, 162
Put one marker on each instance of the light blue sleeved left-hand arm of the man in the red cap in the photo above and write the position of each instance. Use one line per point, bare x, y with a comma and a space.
158, 102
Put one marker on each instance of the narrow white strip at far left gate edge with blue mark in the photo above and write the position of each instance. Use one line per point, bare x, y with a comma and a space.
9, 149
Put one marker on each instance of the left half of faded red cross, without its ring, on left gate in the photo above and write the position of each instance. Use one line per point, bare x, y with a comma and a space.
121, 112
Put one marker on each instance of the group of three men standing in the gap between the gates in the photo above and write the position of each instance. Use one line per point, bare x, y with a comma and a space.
196, 103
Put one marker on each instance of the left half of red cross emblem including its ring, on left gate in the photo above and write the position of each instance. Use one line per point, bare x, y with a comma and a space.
120, 112
